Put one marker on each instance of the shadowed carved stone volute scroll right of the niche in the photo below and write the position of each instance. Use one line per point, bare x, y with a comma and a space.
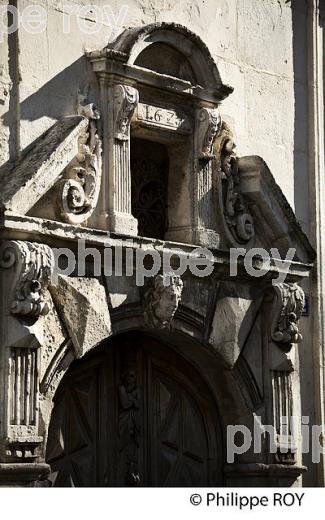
238, 219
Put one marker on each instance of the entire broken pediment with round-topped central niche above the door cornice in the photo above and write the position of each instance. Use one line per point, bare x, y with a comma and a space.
168, 157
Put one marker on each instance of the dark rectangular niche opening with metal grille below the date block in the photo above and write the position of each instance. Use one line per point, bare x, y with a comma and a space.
149, 171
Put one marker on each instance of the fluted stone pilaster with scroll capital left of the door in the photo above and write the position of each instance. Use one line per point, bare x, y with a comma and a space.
30, 268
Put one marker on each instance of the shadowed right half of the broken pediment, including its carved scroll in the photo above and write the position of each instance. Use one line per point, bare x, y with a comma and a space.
252, 211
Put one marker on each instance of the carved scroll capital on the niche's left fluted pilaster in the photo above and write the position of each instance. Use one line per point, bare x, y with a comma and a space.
125, 101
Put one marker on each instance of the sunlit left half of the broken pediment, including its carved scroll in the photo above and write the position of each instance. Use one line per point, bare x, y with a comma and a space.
58, 177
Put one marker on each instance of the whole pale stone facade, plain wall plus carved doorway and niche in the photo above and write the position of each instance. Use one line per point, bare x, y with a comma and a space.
143, 148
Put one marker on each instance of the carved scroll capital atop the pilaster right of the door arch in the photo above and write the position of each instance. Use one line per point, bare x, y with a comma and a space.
288, 306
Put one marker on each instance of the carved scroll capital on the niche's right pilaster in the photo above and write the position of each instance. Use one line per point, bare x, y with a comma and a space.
209, 125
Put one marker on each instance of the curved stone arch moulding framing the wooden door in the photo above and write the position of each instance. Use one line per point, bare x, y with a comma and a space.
184, 340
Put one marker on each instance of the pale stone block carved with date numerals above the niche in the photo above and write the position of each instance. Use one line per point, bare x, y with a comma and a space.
163, 117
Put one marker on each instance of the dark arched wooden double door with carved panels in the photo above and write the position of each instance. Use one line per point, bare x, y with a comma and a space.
133, 413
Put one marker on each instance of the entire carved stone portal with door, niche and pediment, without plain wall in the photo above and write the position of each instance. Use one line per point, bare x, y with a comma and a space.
149, 166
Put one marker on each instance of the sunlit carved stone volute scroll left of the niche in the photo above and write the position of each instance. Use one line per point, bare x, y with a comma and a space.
79, 190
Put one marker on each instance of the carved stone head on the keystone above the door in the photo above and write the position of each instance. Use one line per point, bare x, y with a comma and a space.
162, 296
